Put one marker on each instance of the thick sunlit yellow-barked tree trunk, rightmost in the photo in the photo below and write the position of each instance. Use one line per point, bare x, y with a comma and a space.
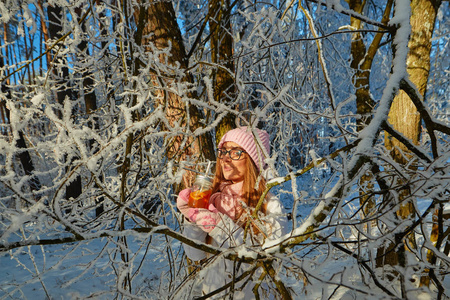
403, 115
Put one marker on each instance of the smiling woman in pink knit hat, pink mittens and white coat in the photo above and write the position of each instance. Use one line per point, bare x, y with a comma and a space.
236, 189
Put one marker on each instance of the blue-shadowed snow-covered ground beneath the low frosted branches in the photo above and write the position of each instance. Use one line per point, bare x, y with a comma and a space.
64, 276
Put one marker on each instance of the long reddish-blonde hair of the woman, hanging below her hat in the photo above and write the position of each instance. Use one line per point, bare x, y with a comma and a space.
250, 195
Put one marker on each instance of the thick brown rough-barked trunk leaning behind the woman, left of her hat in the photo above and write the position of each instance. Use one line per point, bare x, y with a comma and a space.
159, 27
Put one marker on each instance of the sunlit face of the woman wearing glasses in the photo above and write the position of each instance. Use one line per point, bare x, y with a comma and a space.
233, 170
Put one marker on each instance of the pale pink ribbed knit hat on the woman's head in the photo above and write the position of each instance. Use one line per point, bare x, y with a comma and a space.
244, 137
